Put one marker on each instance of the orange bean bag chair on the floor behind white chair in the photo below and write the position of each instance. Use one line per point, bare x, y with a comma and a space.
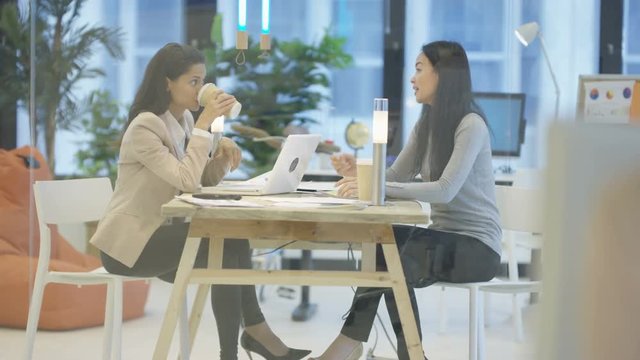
64, 306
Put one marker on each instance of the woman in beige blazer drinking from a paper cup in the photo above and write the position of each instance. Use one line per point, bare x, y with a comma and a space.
164, 152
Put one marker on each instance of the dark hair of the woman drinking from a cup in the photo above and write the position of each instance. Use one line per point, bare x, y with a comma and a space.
169, 62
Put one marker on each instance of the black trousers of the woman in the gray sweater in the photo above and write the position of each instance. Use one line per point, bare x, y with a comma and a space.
427, 256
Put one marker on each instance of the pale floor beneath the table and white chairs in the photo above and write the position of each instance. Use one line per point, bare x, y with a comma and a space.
139, 335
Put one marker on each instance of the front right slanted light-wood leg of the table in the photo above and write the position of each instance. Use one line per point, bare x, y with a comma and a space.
401, 293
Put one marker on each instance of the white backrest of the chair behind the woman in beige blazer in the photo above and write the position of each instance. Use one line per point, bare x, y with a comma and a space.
71, 201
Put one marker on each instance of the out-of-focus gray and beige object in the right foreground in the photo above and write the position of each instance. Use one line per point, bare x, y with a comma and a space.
591, 287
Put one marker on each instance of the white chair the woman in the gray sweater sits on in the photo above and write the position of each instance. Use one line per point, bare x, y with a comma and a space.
521, 211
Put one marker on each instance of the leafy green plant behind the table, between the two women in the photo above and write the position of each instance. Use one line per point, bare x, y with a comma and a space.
276, 91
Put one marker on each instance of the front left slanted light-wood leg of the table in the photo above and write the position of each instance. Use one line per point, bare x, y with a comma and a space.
176, 302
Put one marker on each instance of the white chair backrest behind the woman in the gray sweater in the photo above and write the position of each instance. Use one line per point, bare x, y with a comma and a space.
520, 208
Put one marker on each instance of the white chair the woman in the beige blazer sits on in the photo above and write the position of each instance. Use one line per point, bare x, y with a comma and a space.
78, 201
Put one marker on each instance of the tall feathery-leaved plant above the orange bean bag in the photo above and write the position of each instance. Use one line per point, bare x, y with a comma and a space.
64, 47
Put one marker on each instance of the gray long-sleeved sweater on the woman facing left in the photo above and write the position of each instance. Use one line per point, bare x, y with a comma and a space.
463, 200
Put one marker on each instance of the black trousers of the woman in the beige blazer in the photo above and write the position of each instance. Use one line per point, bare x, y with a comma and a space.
231, 304
